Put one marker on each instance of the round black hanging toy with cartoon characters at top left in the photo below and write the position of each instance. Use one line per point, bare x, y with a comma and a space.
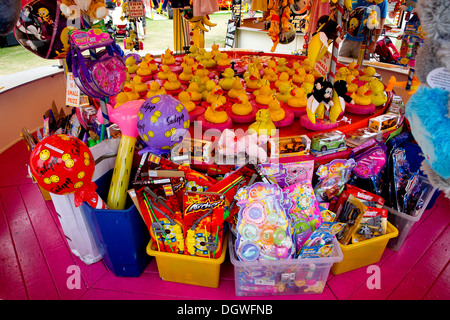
43, 30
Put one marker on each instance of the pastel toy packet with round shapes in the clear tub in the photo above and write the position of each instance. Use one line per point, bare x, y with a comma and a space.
263, 227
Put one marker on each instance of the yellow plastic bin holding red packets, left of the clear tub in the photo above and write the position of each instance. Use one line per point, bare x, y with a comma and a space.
182, 268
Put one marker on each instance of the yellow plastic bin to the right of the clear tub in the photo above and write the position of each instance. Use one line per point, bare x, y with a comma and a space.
364, 253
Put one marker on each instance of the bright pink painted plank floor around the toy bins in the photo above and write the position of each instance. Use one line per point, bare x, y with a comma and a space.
34, 257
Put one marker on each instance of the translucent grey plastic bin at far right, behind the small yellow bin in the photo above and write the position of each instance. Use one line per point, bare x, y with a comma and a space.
404, 222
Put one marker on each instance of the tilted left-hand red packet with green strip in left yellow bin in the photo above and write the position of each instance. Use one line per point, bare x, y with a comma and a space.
161, 212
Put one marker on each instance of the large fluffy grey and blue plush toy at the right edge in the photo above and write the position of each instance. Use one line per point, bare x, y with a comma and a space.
428, 110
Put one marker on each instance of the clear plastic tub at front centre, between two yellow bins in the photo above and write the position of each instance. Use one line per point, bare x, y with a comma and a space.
282, 277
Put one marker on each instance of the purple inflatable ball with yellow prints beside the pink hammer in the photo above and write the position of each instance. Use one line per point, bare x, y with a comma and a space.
162, 123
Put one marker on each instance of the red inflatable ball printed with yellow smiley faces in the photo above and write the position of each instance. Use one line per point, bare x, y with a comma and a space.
62, 164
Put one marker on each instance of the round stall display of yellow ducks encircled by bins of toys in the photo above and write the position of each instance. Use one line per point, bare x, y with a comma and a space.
240, 157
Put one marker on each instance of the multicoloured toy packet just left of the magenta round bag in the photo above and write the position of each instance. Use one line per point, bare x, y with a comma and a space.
332, 178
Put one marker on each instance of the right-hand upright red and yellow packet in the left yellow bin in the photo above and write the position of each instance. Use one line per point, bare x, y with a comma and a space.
203, 224
